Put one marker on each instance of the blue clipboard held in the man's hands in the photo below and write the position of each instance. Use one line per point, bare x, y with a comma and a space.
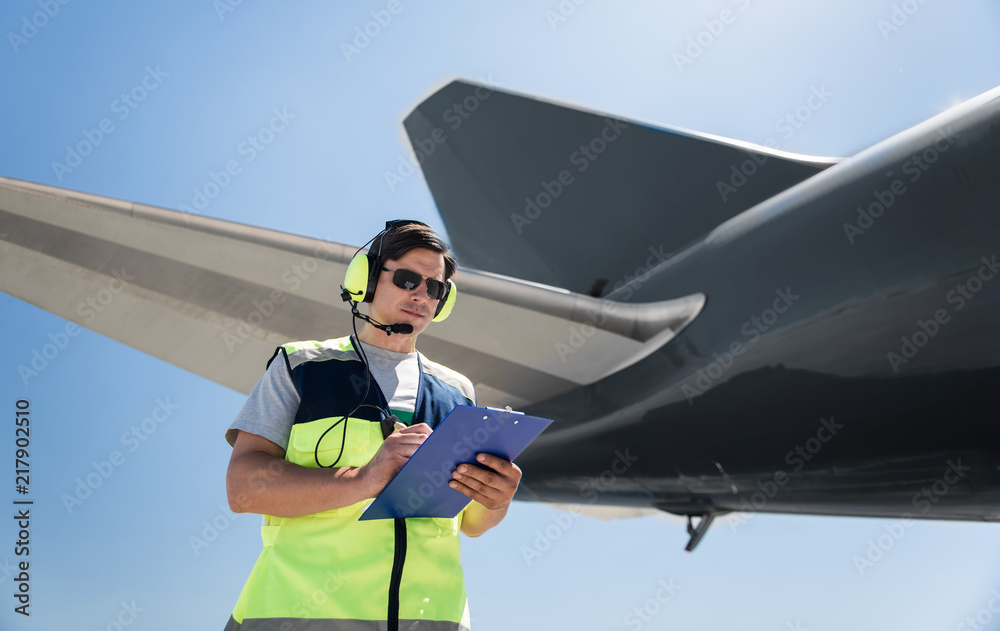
420, 488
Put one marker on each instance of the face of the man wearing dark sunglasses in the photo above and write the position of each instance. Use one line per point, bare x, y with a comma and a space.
393, 305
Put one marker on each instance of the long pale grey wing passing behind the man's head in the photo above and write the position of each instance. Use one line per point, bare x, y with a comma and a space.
215, 297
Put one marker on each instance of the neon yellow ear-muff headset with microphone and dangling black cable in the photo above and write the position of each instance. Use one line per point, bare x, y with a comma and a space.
359, 286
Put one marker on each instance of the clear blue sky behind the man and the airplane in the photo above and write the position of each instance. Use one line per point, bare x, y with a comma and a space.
152, 543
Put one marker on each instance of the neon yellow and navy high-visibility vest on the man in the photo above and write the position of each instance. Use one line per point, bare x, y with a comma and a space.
329, 570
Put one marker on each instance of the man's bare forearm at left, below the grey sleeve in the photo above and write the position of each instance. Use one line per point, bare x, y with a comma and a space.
262, 483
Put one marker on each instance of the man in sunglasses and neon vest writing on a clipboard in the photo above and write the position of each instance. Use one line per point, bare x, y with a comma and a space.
309, 453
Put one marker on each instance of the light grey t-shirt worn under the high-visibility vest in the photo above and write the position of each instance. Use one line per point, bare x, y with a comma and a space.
270, 409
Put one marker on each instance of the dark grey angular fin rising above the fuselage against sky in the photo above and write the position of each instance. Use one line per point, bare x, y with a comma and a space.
576, 199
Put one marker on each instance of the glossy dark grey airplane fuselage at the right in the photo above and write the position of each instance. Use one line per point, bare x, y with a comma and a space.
847, 360
